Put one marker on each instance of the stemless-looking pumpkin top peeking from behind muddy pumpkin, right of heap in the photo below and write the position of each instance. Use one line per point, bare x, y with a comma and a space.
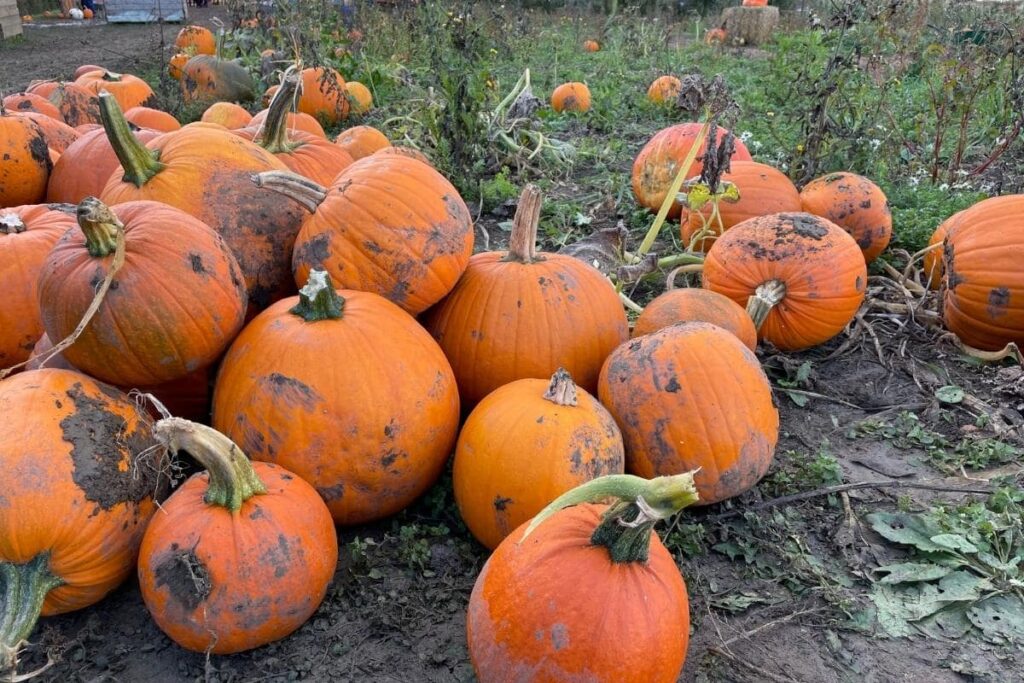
697, 306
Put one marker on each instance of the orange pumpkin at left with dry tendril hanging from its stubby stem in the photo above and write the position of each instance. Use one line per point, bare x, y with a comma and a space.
179, 304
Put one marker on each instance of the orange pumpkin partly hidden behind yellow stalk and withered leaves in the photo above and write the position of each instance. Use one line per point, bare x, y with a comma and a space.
763, 190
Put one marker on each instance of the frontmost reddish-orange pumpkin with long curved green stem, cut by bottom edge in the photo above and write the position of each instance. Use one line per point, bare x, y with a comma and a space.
590, 594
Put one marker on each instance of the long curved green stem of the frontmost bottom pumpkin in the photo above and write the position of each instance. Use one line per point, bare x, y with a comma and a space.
626, 528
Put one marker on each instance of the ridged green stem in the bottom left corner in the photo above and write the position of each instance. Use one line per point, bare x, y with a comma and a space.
23, 590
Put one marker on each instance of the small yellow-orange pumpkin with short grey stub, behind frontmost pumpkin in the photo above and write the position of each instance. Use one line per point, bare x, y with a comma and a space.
524, 446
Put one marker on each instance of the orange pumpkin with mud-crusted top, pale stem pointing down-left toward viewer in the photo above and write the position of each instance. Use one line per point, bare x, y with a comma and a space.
800, 277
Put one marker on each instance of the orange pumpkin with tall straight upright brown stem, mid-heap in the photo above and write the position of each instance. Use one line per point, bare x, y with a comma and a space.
523, 314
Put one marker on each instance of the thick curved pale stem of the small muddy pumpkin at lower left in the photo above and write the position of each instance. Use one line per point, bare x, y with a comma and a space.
233, 480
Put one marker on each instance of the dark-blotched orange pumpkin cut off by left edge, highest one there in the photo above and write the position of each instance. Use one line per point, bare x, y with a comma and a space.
26, 167
